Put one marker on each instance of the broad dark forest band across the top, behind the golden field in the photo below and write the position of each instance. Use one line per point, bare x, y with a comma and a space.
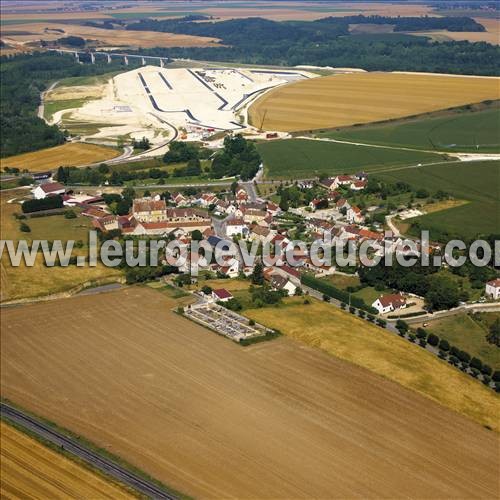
327, 42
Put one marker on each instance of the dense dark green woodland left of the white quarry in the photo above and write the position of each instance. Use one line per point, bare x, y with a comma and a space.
22, 78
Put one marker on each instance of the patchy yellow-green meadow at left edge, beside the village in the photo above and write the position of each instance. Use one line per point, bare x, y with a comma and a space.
29, 282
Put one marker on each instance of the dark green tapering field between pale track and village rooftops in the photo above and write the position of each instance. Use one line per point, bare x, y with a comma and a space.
303, 158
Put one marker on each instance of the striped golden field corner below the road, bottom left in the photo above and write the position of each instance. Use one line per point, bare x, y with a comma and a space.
29, 469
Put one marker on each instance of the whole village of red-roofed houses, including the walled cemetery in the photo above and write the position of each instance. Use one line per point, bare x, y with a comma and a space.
240, 213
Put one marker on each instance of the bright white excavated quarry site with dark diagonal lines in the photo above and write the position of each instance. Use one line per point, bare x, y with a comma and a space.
164, 104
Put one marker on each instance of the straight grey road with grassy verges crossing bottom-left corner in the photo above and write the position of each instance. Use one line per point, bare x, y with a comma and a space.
89, 456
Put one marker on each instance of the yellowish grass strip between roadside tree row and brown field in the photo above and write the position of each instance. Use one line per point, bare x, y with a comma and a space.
357, 341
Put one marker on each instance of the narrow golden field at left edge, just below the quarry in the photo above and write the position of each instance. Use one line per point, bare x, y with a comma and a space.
69, 154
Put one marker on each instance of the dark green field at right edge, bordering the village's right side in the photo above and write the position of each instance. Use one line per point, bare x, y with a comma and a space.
477, 182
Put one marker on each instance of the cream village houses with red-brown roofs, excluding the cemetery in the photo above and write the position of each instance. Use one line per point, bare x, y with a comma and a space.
233, 216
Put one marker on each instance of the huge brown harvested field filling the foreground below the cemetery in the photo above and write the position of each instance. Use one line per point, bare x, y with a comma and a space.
213, 419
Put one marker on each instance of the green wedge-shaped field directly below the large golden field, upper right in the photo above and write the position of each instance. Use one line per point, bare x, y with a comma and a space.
467, 131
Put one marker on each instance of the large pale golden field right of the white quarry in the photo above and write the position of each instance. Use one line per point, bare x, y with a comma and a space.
348, 99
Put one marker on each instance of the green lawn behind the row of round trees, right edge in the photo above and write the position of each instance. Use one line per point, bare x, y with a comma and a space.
462, 331
